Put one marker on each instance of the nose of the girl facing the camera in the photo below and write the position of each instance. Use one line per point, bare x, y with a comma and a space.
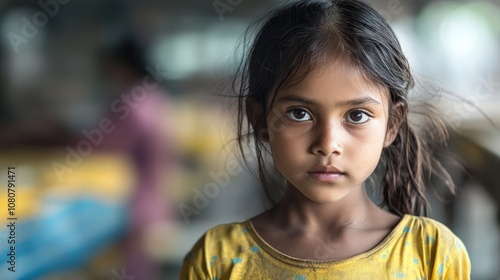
327, 139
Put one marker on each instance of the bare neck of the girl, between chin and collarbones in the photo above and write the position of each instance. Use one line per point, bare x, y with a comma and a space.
296, 212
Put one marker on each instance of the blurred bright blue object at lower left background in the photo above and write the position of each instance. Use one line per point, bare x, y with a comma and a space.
65, 235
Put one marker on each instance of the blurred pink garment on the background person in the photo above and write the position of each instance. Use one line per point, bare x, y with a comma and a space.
136, 134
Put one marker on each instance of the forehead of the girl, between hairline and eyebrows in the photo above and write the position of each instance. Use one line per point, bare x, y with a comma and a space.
336, 81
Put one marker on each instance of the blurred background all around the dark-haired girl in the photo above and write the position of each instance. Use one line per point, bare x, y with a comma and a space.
112, 120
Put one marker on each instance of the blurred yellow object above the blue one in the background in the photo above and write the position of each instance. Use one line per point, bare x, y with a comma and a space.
106, 176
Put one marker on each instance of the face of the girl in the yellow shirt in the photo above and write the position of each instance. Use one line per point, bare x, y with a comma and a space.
327, 132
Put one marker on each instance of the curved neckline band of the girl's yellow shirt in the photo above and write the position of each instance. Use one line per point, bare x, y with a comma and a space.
395, 232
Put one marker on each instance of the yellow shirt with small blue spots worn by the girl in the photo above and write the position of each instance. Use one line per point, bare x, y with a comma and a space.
417, 248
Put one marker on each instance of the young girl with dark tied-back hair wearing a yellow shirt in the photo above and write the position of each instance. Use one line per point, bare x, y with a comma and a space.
324, 91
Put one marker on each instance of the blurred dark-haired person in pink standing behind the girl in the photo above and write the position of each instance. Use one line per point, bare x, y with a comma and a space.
138, 110
